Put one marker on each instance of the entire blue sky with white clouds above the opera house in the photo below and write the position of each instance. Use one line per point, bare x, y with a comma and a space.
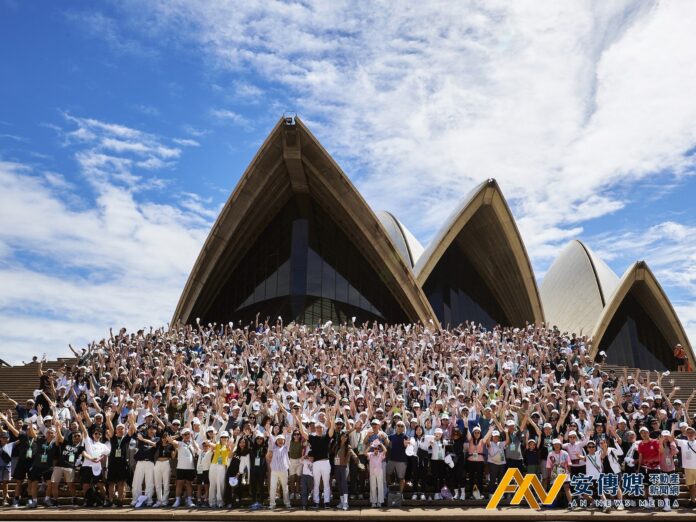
124, 126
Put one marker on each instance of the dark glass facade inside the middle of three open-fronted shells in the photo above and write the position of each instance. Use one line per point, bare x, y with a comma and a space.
458, 293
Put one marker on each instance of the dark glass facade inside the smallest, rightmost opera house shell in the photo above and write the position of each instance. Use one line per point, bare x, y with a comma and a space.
634, 340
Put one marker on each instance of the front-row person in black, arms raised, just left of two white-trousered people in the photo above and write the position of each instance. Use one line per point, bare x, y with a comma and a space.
119, 471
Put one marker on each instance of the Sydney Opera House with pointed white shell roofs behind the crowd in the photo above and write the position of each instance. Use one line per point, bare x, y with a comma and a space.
296, 240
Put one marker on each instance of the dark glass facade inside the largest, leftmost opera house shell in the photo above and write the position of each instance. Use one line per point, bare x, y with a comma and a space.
304, 268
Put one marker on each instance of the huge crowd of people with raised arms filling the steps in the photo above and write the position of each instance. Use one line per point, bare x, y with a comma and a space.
316, 417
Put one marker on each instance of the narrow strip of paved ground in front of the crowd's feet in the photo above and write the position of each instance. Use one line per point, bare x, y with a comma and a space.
437, 513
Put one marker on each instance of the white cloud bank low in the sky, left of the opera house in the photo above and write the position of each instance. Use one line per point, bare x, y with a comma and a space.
121, 260
